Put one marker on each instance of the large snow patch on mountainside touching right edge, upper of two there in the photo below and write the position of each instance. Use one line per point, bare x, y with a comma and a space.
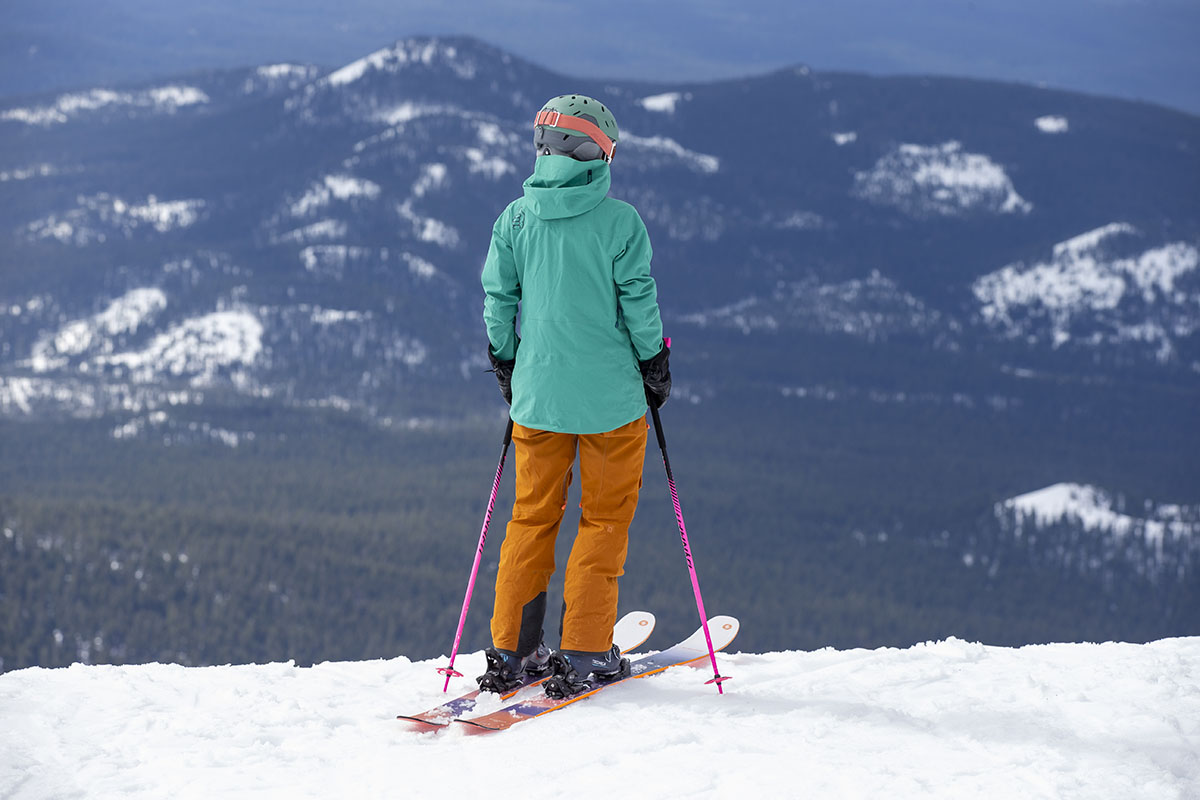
1096, 291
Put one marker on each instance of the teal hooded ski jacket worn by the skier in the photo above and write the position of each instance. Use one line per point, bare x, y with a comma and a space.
578, 264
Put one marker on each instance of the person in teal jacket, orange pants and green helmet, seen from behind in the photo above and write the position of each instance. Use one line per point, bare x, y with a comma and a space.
589, 359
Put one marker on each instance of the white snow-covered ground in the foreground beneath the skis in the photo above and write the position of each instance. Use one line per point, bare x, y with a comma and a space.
940, 720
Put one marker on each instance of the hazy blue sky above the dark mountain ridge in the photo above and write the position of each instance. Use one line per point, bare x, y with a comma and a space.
1131, 49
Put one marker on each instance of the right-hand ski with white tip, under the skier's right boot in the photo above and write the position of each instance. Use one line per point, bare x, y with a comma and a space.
693, 649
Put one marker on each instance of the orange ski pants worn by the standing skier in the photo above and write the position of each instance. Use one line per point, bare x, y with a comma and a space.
611, 477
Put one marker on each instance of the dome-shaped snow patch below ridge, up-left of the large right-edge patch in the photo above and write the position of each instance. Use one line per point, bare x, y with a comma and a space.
939, 182
